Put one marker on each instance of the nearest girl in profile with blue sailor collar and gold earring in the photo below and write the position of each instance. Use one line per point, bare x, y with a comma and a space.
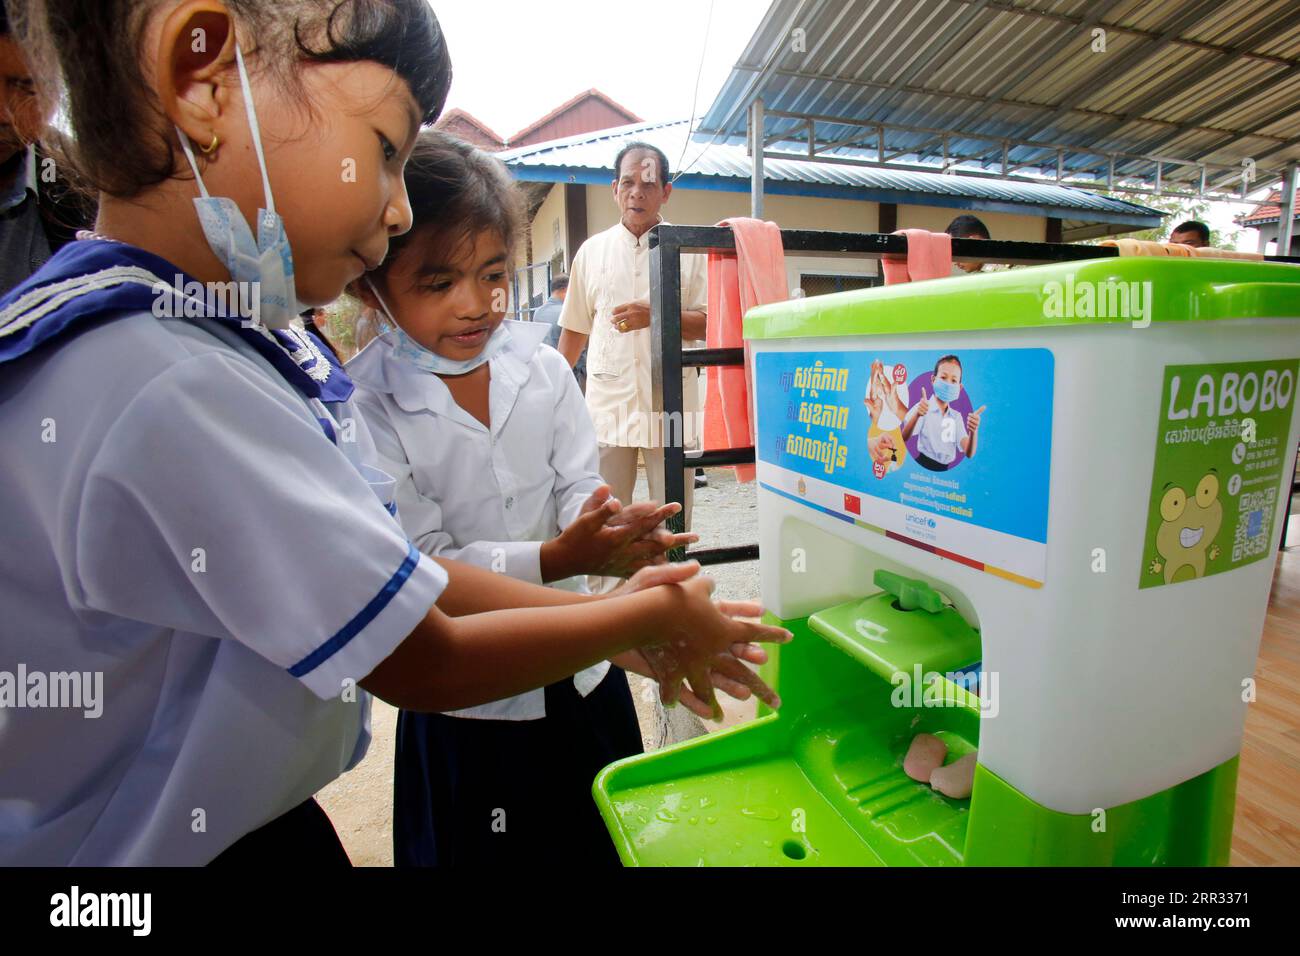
175, 473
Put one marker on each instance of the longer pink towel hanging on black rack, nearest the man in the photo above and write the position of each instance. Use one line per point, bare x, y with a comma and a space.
753, 276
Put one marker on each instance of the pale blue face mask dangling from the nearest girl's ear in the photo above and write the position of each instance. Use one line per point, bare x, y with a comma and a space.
268, 262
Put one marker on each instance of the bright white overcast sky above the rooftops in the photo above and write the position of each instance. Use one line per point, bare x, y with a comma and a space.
517, 60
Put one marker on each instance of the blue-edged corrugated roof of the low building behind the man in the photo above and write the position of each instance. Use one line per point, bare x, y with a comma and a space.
704, 165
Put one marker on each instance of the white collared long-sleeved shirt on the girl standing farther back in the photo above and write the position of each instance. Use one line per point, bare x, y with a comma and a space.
487, 496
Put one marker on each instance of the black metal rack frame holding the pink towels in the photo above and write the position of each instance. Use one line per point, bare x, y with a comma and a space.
669, 244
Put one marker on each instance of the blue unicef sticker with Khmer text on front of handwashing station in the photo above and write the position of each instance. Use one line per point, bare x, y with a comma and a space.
950, 452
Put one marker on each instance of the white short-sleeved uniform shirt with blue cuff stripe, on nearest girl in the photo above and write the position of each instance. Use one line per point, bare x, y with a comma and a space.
189, 533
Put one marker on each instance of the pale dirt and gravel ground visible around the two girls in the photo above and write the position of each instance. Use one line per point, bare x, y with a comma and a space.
361, 803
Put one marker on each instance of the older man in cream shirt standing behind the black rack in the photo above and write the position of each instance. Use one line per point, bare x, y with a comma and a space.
609, 304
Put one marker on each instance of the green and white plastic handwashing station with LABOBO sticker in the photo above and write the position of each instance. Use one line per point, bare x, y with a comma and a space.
1033, 513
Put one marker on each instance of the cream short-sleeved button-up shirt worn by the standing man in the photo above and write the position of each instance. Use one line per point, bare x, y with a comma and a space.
609, 270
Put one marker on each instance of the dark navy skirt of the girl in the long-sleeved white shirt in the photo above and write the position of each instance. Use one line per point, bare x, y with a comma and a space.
474, 793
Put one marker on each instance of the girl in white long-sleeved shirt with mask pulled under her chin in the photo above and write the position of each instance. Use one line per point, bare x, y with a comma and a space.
496, 462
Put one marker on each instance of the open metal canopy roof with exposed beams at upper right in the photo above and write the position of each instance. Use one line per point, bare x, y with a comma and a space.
1204, 81
